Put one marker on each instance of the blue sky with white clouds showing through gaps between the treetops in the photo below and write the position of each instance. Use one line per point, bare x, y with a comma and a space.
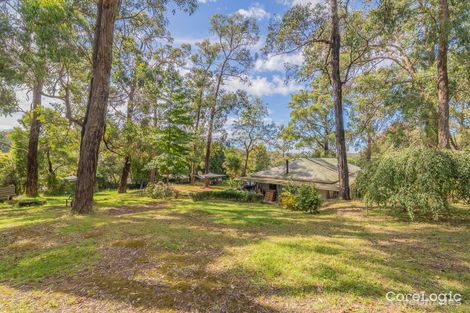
267, 78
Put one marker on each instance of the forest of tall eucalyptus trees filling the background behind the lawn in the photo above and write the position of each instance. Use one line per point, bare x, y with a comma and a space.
129, 105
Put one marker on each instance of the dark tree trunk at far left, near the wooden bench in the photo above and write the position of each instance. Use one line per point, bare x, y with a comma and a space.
32, 165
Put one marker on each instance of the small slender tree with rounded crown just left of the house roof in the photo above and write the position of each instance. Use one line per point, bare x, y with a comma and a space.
251, 128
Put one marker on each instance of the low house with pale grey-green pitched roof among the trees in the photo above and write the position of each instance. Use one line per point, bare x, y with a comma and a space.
321, 171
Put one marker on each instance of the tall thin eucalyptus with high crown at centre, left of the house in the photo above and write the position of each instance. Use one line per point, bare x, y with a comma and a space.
235, 35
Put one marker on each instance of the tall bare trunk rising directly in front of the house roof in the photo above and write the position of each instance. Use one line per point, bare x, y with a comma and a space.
341, 153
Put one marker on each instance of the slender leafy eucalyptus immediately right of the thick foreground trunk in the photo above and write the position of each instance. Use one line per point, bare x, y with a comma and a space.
136, 38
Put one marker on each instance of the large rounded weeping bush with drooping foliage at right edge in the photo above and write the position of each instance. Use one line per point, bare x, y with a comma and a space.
417, 180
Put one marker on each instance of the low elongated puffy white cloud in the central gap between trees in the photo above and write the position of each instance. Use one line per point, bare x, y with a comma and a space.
261, 86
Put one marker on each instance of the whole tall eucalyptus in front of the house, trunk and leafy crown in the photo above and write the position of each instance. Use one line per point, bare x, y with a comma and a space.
314, 31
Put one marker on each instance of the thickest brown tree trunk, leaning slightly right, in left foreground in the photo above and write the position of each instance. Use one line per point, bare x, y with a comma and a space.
93, 126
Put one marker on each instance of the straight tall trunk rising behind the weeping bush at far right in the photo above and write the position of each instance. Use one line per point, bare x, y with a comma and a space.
443, 80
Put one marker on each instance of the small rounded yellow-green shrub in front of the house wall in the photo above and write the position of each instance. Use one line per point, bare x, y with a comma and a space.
301, 197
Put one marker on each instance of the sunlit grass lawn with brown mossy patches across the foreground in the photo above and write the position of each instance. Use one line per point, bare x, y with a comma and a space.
136, 254
